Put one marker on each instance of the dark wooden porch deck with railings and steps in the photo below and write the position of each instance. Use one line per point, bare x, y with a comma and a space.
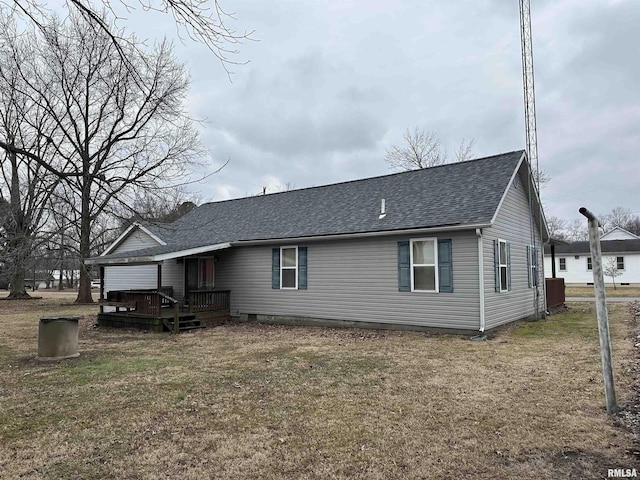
156, 311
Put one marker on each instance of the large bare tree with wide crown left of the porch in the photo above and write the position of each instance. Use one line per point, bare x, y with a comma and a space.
113, 131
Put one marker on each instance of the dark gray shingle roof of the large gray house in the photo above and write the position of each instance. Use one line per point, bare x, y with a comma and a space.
464, 193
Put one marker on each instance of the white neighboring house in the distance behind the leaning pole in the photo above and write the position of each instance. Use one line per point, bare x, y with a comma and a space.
573, 261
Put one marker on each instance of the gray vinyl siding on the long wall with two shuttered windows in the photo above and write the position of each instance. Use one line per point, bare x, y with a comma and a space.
353, 280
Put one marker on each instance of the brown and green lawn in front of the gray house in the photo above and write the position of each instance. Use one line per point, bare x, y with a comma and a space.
251, 401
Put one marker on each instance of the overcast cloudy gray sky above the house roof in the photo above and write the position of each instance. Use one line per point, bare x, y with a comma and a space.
330, 85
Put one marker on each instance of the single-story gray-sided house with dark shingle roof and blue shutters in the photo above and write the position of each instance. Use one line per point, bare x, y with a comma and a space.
456, 247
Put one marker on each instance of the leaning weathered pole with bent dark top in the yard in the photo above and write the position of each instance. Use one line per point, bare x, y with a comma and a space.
601, 309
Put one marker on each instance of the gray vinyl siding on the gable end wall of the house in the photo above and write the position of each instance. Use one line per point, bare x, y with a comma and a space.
513, 224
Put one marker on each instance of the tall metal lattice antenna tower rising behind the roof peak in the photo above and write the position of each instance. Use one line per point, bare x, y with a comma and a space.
529, 89
